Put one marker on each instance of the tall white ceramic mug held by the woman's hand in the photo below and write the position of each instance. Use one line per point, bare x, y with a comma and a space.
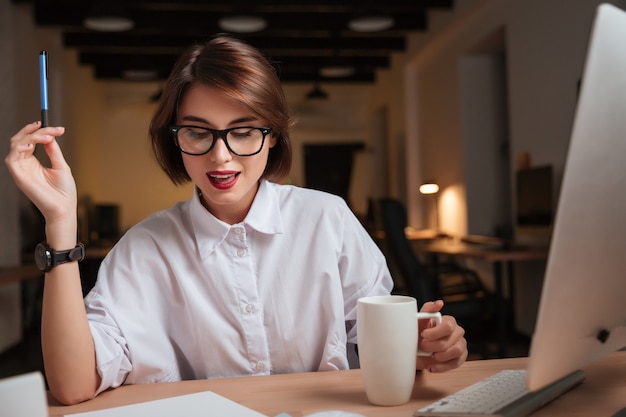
387, 328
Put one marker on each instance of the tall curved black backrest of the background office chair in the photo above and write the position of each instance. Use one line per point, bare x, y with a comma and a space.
418, 281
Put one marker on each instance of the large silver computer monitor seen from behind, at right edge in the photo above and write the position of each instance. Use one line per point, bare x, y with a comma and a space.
582, 312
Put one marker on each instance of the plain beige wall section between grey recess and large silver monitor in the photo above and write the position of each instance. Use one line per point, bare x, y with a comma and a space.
545, 66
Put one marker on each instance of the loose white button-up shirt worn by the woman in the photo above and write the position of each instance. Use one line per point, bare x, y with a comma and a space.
184, 295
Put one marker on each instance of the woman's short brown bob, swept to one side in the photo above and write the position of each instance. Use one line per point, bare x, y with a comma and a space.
242, 73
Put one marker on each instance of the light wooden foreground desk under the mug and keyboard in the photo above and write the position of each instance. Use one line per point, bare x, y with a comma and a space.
601, 394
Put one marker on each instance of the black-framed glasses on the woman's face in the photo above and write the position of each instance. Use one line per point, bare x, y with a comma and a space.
241, 140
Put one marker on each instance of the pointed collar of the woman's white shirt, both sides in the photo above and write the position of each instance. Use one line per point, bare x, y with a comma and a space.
264, 216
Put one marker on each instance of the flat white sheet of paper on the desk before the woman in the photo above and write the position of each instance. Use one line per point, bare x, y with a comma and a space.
201, 404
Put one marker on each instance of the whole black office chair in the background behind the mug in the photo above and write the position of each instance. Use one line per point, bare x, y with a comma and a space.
464, 295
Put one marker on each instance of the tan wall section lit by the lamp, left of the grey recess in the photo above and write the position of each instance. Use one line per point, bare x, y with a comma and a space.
434, 129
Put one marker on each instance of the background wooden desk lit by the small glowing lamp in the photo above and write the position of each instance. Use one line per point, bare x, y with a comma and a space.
500, 258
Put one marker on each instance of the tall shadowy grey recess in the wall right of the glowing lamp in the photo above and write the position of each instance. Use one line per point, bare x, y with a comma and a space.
485, 131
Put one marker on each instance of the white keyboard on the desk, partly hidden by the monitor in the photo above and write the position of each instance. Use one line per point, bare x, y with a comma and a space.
503, 394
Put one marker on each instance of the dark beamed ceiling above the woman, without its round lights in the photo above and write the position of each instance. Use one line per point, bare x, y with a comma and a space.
302, 35
